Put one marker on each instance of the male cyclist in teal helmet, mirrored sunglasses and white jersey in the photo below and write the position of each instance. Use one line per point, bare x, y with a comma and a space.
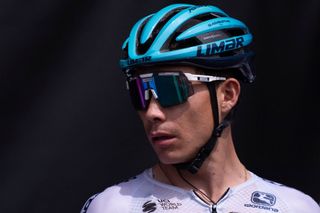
184, 67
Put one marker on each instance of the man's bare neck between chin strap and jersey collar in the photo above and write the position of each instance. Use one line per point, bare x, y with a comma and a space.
220, 171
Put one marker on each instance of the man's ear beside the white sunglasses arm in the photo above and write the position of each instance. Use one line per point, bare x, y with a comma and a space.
228, 93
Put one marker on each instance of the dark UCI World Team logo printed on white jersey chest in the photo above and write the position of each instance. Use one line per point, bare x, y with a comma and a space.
164, 204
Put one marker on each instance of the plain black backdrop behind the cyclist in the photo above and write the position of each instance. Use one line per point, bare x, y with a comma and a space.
67, 126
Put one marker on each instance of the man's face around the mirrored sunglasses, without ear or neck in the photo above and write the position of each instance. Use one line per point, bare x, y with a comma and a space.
177, 133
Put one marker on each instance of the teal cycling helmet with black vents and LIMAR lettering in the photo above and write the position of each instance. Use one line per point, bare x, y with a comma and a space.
203, 36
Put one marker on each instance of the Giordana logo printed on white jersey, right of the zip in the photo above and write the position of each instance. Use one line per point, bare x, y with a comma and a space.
262, 200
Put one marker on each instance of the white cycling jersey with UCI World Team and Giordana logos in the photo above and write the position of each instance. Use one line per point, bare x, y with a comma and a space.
145, 194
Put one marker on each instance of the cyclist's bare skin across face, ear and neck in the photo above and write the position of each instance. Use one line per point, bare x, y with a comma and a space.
177, 133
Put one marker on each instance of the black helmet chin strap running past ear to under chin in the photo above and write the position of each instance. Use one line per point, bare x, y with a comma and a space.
194, 165
